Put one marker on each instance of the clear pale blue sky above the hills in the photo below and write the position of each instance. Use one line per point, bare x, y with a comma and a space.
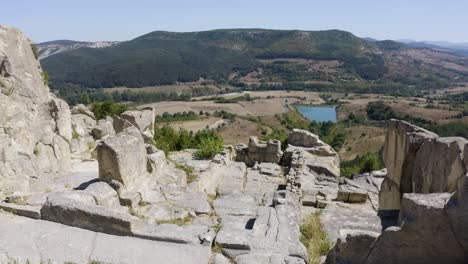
92, 20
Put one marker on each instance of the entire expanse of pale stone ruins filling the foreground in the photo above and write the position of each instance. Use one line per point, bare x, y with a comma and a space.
73, 188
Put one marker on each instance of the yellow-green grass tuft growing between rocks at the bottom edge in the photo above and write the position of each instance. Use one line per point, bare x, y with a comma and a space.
314, 238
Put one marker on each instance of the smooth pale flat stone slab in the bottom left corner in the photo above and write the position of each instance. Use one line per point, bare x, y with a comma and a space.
23, 239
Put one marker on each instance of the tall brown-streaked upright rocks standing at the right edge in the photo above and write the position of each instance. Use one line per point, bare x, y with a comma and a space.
419, 161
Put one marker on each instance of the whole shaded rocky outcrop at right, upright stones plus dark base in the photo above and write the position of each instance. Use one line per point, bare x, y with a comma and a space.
427, 185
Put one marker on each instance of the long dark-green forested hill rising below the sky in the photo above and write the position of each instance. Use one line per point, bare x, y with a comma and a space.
253, 56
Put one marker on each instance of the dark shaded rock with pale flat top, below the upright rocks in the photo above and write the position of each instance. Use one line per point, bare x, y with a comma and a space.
424, 234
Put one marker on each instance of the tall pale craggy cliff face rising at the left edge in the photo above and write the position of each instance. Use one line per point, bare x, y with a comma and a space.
35, 129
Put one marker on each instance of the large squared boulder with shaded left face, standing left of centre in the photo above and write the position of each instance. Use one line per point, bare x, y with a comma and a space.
123, 157
